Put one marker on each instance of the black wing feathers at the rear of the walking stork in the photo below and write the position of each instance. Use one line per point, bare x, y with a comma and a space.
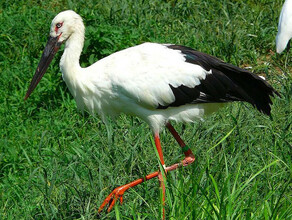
226, 83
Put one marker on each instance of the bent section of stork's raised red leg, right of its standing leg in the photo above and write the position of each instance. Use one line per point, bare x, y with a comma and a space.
189, 156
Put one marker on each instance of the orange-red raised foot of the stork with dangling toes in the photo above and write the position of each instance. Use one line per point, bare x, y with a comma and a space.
116, 194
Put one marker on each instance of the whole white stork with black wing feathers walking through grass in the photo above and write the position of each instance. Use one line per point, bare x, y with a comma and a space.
159, 83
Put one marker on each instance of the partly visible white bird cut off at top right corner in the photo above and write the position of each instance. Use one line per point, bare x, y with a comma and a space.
284, 27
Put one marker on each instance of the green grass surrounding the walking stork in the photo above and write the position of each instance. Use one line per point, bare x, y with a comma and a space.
56, 163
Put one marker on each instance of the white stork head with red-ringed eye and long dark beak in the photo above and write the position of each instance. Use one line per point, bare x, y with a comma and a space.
63, 26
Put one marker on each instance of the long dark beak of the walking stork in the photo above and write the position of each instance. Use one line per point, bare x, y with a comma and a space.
50, 50
